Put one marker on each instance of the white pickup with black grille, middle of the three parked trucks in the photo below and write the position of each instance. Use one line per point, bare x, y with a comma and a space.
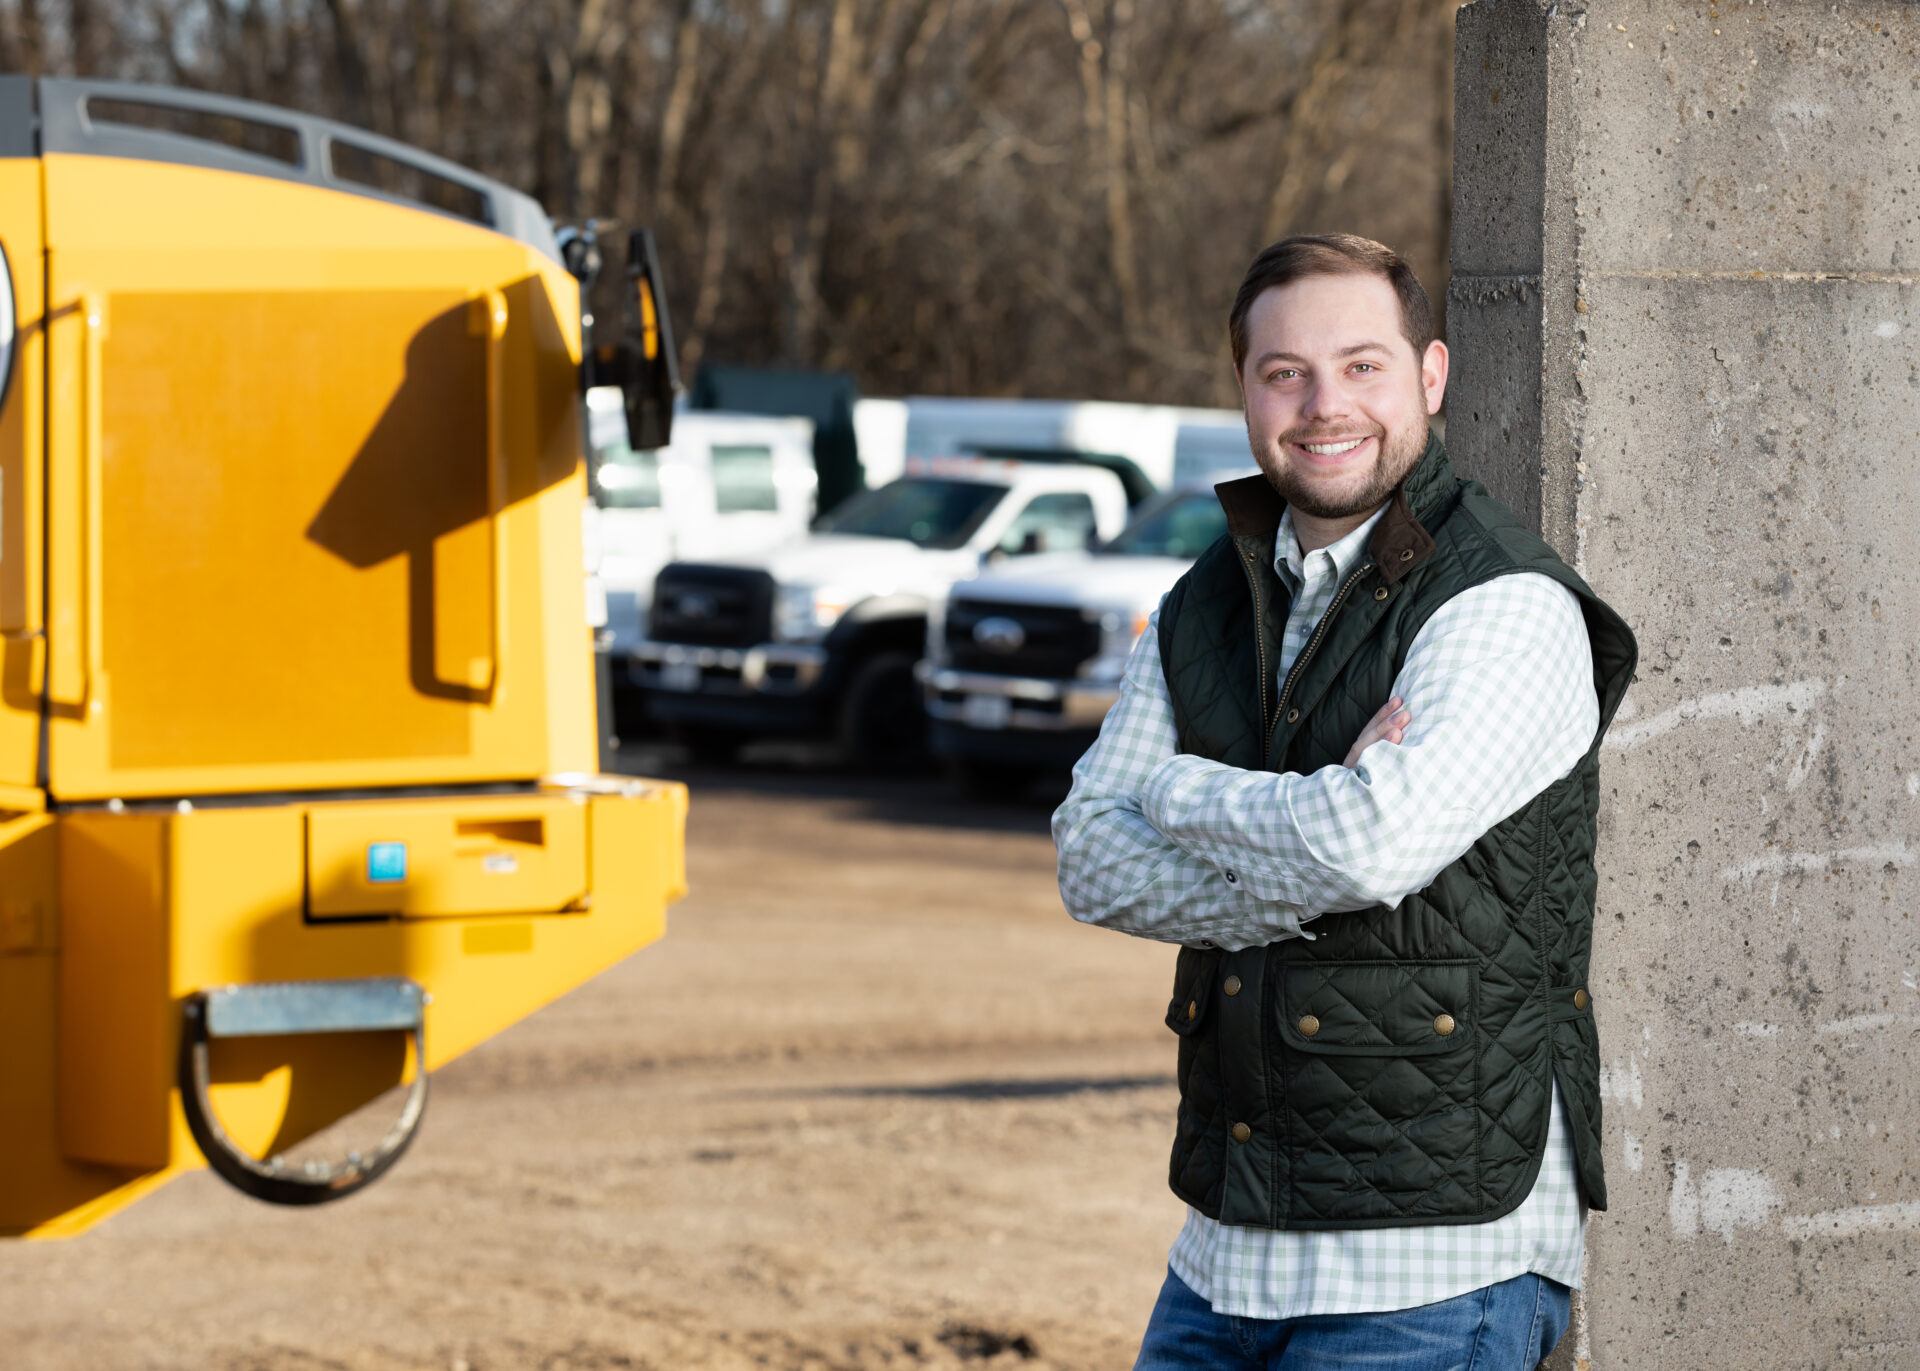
821, 637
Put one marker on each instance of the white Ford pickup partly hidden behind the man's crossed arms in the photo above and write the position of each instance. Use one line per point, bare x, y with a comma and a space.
1024, 661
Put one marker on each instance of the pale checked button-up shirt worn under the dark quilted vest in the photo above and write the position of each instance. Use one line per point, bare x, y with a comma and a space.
1182, 850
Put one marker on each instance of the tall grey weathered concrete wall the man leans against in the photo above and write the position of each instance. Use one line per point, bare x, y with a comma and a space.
1687, 341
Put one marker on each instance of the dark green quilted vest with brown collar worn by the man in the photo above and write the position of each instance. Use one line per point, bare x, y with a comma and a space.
1395, 1070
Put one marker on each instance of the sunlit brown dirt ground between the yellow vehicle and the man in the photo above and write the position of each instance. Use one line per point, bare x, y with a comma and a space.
875, 1101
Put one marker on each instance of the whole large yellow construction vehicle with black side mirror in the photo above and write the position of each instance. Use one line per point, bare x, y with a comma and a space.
299, 779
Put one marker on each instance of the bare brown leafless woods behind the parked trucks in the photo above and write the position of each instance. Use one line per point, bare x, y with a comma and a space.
969, 197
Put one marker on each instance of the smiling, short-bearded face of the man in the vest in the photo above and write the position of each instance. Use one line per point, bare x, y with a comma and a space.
1328, 366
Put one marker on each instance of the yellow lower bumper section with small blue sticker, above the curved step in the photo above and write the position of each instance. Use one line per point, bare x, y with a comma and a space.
492, 903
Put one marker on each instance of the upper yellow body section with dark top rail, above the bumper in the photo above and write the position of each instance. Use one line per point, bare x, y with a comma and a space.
314, 498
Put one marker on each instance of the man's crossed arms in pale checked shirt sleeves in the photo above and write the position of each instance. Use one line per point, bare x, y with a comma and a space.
1174, 848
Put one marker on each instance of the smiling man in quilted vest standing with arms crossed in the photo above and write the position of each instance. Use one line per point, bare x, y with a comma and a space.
1374, 708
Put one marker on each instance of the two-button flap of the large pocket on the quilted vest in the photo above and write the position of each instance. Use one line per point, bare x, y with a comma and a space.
1380, 1007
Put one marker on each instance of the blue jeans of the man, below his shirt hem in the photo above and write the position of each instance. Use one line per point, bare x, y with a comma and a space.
1500, 1328
